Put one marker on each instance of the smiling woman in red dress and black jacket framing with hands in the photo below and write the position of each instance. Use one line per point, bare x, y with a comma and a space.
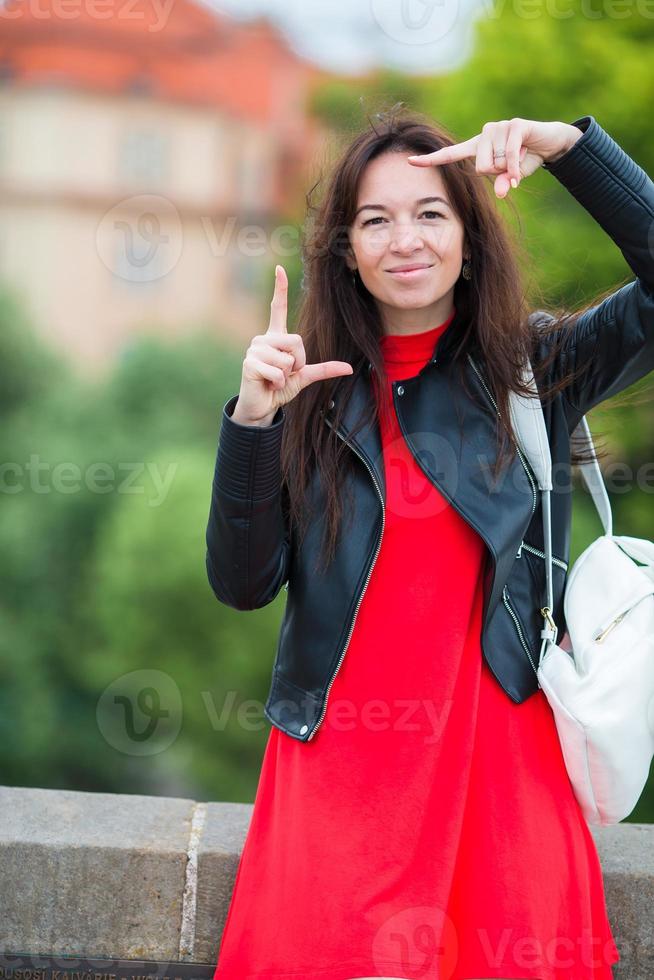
414, 817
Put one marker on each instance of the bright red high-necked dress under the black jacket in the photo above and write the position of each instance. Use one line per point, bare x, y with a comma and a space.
429, 829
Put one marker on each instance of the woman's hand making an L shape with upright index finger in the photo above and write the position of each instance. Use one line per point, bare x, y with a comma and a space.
275, 368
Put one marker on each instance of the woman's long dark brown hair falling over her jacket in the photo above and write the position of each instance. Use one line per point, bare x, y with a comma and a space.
338, 318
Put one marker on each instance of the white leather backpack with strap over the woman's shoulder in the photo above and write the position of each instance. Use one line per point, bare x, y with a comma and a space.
599, 681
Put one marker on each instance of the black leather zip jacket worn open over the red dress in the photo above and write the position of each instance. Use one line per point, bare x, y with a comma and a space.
251, 555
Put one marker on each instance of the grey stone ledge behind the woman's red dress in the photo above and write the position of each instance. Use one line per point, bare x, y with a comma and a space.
150, 877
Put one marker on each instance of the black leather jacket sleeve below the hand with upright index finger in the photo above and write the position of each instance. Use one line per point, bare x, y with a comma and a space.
247, 537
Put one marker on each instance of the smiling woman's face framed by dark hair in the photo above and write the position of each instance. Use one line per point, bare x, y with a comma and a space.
403, 230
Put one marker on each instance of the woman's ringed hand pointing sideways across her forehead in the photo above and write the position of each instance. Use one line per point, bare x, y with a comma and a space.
511, 149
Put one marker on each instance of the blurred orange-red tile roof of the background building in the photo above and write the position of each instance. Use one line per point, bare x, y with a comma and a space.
177, 50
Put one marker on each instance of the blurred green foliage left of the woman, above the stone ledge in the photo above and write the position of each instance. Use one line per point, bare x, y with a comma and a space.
103, 572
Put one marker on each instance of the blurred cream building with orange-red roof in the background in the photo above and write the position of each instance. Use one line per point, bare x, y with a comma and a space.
150, 155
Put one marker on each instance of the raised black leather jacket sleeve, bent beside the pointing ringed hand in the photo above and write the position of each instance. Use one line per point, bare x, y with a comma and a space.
614, 339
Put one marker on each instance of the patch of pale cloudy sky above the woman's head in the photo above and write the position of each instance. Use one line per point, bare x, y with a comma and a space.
354, 36
